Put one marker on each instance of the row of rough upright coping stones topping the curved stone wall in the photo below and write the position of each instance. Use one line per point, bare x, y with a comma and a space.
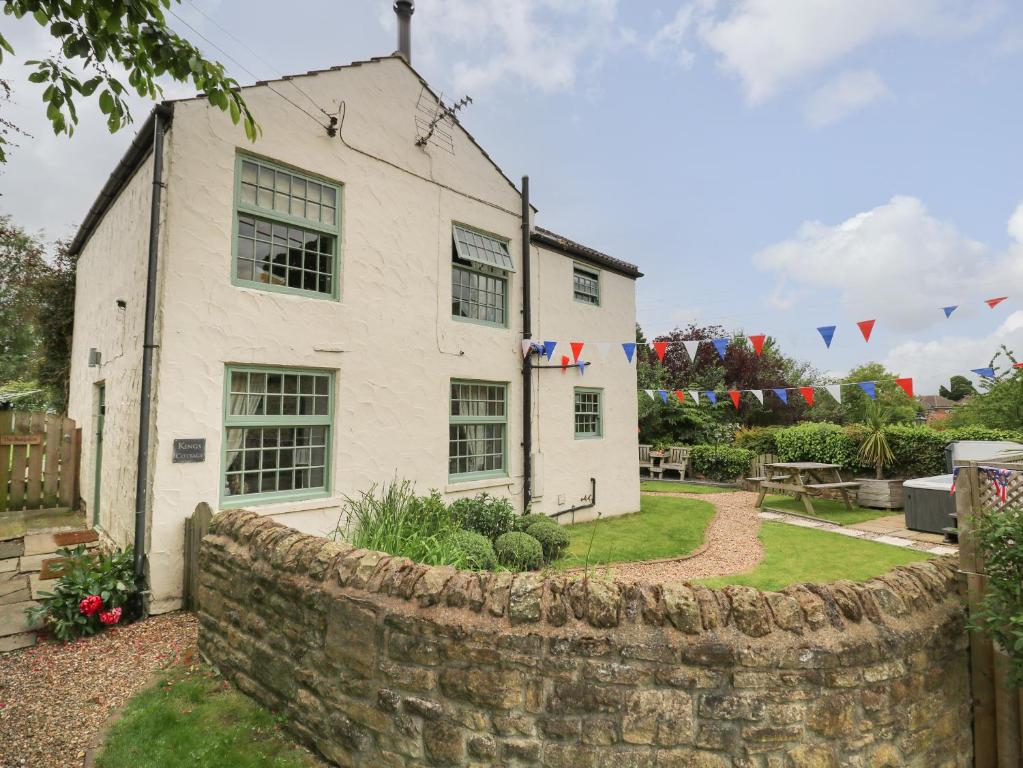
560, 600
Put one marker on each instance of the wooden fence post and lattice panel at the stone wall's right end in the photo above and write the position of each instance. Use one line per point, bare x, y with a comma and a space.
998, 710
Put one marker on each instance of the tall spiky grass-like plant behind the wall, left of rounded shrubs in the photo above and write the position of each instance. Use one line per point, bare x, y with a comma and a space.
398, 522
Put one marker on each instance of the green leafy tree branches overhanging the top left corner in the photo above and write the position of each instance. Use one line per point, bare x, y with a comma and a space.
99, 37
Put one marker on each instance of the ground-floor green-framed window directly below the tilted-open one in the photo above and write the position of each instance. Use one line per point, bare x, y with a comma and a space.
477, 431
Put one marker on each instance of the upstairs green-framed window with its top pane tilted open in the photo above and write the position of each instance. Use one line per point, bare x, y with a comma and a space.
480, 265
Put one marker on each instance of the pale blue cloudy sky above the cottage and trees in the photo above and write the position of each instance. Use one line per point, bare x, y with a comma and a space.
772, 166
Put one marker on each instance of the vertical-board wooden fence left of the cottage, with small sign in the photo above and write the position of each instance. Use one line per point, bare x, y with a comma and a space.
39, 460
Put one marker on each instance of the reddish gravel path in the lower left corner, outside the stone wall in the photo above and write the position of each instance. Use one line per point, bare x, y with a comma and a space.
56, 699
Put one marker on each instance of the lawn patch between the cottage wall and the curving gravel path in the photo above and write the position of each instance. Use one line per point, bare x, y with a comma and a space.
664, 527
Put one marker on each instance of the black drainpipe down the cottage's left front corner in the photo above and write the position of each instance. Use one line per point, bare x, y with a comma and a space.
142, 482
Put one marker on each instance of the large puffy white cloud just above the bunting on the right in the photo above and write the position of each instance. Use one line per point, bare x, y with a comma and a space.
895, 261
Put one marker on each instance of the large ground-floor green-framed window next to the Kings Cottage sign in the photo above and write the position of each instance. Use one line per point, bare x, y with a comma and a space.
277, 434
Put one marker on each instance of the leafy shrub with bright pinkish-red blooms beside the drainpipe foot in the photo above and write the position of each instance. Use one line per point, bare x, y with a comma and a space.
95, 592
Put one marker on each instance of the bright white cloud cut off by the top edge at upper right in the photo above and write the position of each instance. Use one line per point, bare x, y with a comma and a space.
773, 44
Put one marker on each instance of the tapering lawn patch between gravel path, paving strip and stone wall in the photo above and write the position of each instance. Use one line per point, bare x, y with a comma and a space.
796, 555
